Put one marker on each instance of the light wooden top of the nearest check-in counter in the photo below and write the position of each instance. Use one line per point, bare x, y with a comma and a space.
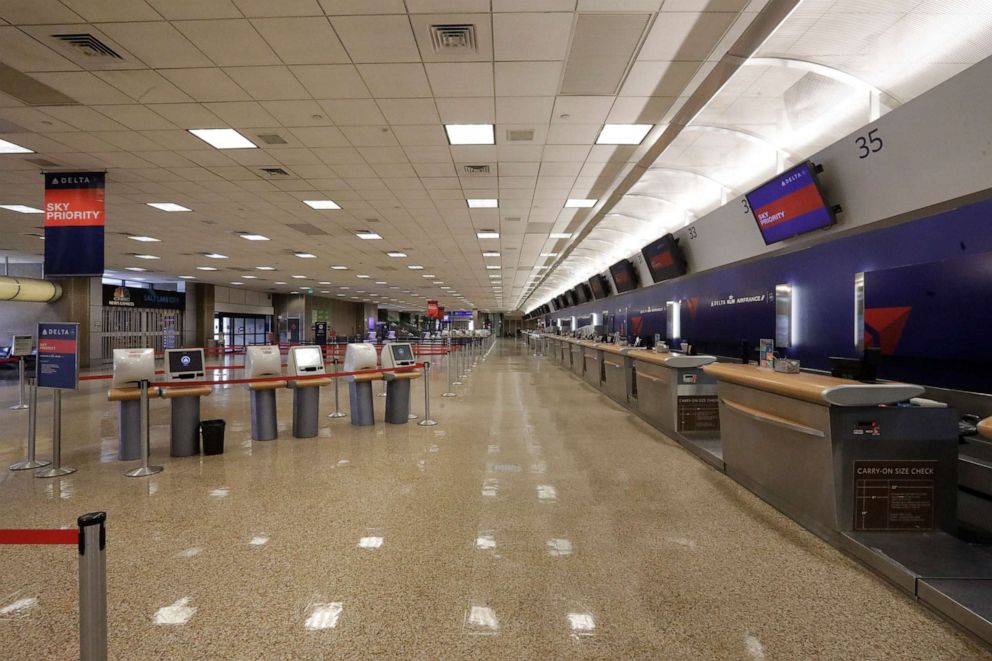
816, 388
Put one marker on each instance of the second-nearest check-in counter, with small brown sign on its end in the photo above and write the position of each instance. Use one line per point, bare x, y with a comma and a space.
674, 393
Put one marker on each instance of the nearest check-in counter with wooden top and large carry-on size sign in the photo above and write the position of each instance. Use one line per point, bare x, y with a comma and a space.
839, 455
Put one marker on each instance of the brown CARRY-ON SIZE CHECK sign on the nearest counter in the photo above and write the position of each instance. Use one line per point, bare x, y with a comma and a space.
894, 495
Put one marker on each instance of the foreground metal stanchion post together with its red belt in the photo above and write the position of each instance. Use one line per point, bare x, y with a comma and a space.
90, 540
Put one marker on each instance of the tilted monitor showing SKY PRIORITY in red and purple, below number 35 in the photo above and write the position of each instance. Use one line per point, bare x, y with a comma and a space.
790, 204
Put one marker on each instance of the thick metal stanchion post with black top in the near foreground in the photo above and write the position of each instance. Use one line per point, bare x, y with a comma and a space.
92, 587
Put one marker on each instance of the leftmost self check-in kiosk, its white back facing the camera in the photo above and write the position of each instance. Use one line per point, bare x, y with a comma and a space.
131, 367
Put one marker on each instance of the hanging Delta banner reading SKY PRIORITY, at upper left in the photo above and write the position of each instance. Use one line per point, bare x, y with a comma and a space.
74, 222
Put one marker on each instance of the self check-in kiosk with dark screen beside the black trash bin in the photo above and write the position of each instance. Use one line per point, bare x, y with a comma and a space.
185, 364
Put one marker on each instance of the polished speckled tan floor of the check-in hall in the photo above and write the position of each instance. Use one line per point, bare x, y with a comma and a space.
537, 520
